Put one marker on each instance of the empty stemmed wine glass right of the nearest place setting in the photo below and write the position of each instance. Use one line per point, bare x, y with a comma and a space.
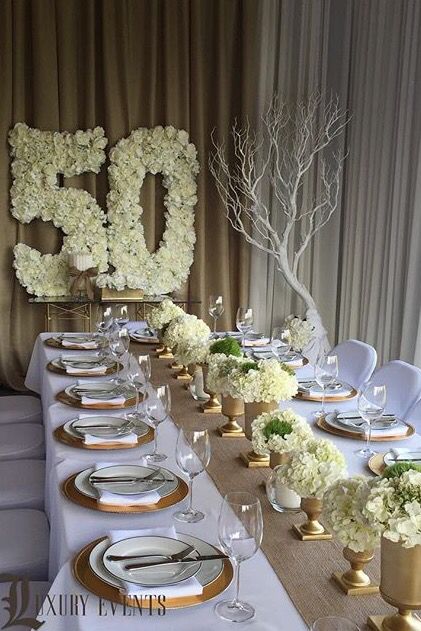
240, 529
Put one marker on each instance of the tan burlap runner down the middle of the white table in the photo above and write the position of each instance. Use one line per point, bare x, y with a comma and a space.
304, 568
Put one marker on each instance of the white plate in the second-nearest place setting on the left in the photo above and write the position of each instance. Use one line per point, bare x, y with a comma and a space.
132, 488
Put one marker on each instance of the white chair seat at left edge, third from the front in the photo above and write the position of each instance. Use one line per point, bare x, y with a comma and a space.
24, 440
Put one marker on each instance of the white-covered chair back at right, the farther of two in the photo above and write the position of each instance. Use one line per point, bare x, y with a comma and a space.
356, 361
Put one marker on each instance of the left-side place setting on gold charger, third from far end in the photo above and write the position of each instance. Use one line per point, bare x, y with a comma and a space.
99, 395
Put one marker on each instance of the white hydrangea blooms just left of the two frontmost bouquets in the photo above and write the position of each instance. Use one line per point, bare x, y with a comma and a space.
311, 472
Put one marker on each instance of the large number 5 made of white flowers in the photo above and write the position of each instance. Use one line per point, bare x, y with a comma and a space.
38, 157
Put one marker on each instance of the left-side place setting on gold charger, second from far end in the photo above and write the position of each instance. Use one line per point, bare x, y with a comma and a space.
84, 365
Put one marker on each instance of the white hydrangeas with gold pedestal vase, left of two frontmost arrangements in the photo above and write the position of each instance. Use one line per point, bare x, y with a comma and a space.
310, 473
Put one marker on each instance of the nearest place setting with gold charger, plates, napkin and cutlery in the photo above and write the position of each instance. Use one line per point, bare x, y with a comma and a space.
125, 565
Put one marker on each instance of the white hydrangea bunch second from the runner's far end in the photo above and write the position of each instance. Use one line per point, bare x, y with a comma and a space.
188, 335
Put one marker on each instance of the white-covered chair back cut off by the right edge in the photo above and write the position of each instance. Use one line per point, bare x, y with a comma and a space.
403, 383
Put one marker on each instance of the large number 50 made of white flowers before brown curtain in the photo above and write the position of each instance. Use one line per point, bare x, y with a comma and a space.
39, 156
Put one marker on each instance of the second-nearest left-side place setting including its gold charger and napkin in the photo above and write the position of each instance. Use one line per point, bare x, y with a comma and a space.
125, 488
